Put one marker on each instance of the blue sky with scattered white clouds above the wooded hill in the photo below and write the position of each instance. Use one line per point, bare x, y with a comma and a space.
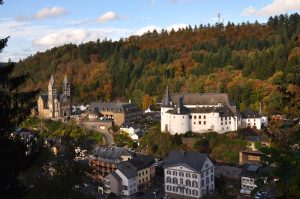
37, 25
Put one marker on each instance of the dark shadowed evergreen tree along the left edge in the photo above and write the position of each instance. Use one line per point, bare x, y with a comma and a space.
15, 106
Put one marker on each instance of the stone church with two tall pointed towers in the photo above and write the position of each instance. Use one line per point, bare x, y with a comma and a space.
53, 105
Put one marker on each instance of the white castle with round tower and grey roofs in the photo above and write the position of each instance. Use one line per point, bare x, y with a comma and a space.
203, 112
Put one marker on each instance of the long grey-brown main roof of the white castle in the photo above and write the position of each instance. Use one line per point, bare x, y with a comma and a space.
200, 98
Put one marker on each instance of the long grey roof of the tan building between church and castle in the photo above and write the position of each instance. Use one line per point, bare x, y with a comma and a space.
114, 106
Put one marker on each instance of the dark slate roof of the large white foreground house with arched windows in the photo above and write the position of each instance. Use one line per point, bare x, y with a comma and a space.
190, 159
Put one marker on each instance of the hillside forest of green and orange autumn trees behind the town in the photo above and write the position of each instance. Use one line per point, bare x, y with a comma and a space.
252, 62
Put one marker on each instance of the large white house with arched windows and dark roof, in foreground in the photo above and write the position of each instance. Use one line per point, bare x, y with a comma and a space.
188, 174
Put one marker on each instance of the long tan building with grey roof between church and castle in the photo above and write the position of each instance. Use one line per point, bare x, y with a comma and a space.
118, 112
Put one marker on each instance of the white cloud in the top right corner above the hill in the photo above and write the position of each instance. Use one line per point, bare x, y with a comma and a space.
275, 7
